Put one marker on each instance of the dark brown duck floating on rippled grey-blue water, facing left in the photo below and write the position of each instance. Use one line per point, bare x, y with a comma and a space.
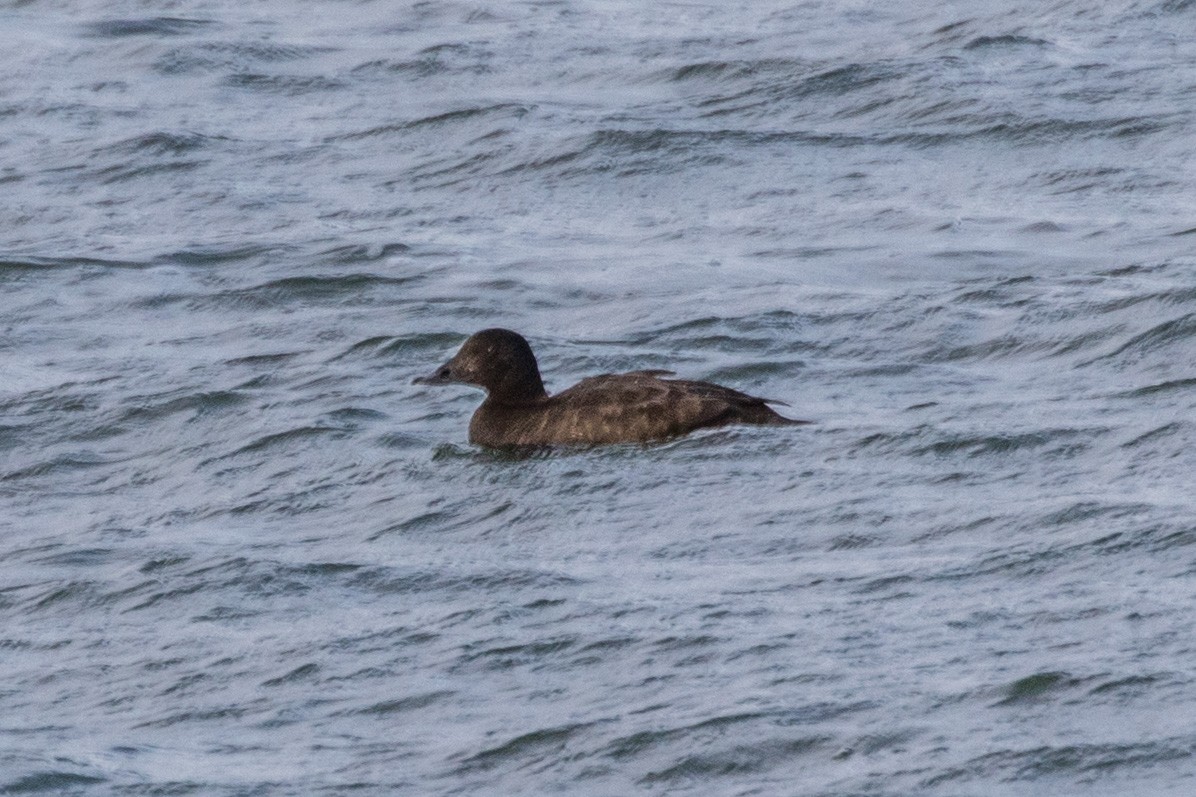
633, 407
